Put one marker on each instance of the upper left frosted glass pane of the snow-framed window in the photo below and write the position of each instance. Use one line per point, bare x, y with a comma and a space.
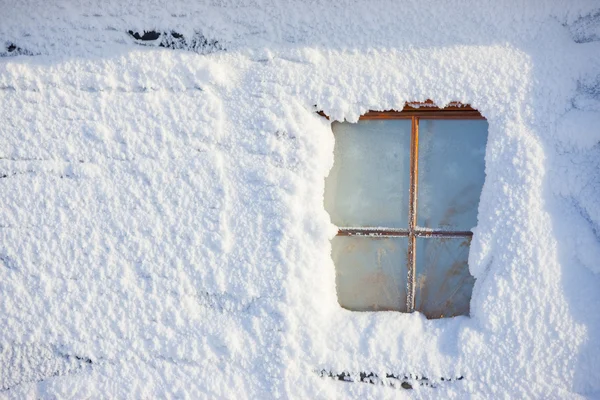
368, 184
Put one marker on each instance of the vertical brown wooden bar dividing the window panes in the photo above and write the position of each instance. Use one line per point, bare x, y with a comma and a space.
412, 215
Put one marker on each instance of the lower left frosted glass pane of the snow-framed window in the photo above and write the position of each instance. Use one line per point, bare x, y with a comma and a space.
370, 273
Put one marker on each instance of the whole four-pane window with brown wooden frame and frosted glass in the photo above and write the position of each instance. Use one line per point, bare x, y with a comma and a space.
404, 190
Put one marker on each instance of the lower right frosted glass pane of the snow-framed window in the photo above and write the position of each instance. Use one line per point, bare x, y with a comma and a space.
443, 282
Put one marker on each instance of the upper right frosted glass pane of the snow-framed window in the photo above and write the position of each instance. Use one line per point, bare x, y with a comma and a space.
451, 172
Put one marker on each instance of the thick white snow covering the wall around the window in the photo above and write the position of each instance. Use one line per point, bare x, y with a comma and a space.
162, 227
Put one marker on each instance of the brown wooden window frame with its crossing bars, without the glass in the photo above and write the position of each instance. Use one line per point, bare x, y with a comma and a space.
415, 111
